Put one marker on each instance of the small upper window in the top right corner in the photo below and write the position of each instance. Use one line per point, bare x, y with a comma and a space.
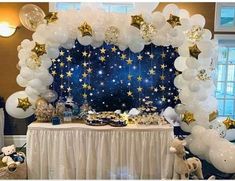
225, 17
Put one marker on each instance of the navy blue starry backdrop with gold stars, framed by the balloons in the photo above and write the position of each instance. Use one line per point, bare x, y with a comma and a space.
111, 79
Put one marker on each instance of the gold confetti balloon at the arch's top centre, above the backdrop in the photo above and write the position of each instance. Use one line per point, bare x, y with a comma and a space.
111, 35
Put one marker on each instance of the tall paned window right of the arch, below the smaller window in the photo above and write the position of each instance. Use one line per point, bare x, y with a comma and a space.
225, 84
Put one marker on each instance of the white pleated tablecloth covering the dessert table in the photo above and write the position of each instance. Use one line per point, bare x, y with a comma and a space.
78, 151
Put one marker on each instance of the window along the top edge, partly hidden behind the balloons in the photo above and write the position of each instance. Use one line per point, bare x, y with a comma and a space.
108, 7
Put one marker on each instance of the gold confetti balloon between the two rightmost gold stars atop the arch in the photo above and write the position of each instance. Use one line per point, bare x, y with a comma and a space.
147, 31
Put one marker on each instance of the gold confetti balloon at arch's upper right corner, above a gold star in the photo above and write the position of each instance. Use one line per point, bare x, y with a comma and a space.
195, 34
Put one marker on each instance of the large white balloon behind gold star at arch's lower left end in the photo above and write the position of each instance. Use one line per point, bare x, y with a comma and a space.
12, 103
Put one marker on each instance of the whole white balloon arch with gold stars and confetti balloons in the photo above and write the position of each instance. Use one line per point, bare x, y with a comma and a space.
173, 26
